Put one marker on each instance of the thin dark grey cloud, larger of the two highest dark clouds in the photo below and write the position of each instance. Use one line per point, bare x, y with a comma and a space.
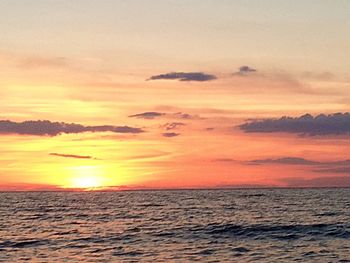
184, 76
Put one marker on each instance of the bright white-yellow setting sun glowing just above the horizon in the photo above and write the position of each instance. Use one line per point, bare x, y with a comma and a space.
87, 177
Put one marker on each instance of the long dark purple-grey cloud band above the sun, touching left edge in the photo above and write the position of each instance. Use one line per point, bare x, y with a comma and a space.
48, 128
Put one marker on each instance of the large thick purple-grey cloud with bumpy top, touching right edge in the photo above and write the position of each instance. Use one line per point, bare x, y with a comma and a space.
333, 124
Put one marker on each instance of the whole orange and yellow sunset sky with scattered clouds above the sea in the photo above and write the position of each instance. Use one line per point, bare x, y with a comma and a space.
118, 95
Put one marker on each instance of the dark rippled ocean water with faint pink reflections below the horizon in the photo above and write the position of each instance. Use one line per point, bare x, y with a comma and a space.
271, 225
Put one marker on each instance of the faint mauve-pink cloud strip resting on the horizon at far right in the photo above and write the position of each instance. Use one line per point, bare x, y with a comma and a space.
334, 181
